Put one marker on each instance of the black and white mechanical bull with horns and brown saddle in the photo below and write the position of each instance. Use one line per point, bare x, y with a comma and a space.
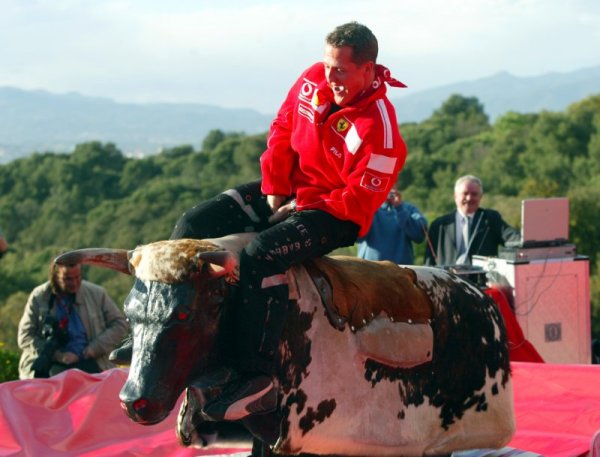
375, 359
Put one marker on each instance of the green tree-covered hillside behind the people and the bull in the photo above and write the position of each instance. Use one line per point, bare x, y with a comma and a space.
51, 202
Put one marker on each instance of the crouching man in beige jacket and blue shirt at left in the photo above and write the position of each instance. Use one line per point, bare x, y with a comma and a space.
68, 323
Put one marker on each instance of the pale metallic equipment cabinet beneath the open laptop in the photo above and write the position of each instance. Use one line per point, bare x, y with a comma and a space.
552, 303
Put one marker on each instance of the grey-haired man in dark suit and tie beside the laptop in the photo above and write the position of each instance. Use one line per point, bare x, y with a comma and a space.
469, 230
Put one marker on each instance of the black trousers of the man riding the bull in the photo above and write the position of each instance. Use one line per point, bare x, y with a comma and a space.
263, 292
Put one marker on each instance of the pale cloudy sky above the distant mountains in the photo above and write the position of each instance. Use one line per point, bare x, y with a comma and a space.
244, 53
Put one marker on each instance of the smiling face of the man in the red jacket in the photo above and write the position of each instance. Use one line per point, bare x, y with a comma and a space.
347, 79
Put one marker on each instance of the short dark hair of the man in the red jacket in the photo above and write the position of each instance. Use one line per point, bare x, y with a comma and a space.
357, 36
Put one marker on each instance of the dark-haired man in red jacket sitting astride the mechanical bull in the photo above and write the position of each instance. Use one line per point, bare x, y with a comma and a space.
333, 153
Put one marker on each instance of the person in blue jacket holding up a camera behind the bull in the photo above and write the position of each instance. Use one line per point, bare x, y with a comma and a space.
396, 225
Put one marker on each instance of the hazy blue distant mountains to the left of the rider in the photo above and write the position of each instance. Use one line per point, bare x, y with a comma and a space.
42, 121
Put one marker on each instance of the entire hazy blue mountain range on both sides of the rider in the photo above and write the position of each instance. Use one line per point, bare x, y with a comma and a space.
42, 121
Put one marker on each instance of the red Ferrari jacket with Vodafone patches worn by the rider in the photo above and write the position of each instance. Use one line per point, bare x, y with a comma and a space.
343, 163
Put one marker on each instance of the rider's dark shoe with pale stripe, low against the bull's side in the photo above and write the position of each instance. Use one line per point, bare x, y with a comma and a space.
242, 397
